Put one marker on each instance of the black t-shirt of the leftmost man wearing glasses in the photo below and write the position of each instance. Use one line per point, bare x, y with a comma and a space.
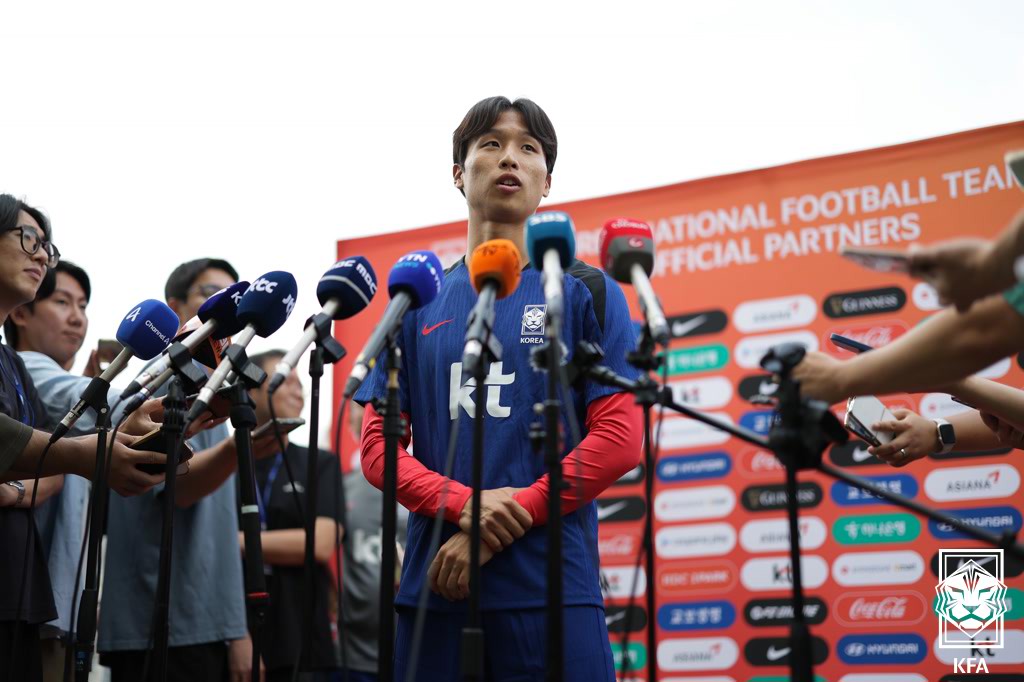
16, 525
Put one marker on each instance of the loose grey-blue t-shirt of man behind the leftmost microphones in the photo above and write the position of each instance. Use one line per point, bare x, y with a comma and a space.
207, 595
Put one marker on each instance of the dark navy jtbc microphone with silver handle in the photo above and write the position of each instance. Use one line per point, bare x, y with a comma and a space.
264, 309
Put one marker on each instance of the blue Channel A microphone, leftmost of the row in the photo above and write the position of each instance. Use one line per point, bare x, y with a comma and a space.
145, 332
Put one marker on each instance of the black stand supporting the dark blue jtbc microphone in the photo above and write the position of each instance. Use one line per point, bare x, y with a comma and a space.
244, 420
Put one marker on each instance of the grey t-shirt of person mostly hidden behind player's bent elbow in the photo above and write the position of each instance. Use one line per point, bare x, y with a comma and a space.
361, 606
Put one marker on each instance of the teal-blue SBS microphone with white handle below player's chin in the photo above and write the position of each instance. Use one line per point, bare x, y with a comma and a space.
551, 245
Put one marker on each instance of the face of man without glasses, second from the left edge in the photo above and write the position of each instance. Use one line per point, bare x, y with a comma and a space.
56, 326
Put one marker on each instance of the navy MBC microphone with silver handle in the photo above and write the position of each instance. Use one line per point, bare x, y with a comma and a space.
344, 291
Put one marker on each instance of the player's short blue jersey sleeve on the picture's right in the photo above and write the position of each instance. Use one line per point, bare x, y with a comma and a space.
615, 334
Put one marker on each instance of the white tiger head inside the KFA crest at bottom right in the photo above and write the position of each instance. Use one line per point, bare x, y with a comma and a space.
971, 599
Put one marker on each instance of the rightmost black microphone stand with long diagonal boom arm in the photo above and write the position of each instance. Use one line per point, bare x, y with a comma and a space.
802, 432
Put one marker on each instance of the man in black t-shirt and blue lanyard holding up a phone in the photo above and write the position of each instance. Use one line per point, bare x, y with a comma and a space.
284, 534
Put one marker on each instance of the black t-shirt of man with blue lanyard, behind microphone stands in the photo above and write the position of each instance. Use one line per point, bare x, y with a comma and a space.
283, 629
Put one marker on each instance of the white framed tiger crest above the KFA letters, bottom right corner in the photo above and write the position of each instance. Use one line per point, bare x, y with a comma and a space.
972, 600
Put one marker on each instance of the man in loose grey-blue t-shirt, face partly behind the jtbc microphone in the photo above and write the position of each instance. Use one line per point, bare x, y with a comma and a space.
208, 636
